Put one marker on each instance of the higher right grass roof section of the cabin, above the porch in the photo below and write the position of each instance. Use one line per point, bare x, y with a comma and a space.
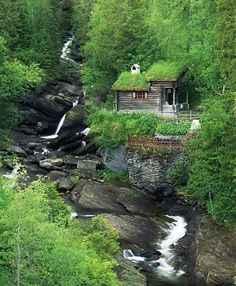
164, 71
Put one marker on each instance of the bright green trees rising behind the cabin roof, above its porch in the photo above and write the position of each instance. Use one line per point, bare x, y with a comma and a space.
115, 35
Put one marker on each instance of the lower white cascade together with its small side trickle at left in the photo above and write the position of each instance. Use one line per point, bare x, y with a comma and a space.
176, 230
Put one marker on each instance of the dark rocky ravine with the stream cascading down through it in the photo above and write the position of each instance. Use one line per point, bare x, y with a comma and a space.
165, 239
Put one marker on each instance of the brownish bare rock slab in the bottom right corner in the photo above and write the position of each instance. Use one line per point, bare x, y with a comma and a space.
215, 250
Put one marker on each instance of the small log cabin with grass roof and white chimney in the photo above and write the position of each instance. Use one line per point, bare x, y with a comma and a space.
156, 90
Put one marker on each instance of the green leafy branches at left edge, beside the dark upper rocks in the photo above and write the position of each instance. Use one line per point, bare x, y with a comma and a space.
15, 79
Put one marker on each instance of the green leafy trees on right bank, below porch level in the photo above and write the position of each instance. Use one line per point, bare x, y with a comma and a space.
212, 154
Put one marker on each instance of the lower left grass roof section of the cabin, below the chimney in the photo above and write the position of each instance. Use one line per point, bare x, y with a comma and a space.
129, 82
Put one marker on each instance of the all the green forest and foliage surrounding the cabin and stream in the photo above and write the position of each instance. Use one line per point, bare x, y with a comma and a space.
110, 36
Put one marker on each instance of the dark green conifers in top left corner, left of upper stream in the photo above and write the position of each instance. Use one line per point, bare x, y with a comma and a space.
32, 30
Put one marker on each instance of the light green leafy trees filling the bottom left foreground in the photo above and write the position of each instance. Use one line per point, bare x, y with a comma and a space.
37, 250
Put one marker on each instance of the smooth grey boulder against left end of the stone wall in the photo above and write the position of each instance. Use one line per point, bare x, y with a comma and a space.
114, 159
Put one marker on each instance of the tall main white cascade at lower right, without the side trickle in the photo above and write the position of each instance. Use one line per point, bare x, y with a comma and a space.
176, 231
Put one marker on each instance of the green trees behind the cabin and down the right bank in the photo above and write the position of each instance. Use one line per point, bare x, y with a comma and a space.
197, 33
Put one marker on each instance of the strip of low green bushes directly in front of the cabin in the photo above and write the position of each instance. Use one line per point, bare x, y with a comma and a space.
113, 128
